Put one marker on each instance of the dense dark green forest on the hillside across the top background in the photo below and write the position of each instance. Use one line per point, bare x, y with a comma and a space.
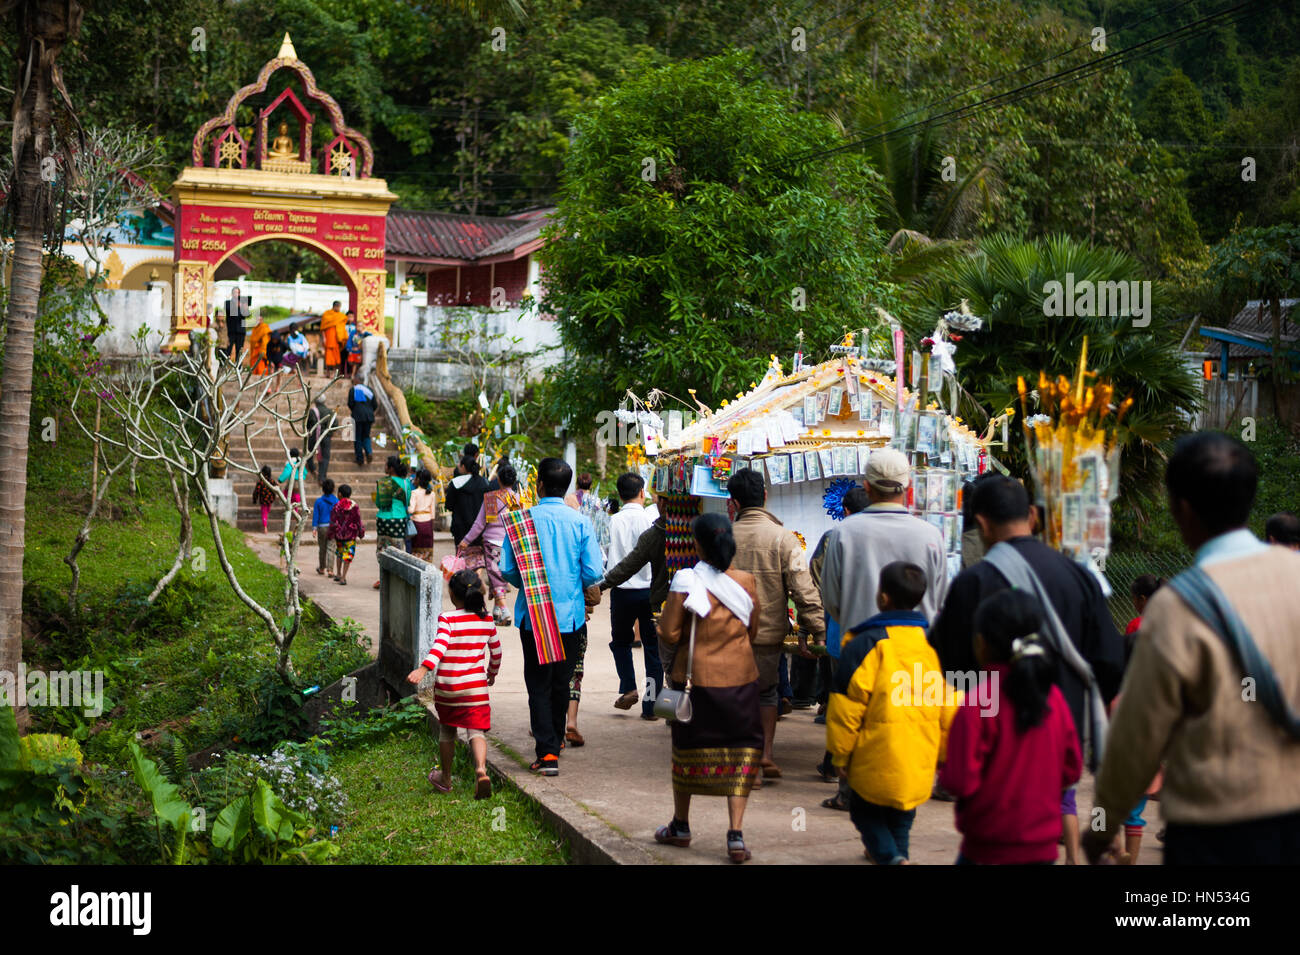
1048, 132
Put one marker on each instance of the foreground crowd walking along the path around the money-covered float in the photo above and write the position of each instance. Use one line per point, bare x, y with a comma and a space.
996, 691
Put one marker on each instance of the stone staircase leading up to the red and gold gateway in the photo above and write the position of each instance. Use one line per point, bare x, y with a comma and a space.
343, 467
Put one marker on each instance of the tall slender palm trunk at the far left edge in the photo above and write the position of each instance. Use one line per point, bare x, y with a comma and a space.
42, 29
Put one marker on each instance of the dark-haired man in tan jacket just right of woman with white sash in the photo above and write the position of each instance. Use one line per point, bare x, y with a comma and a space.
774, 555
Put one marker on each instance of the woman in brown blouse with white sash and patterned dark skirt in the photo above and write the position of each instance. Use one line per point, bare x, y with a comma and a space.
720, 752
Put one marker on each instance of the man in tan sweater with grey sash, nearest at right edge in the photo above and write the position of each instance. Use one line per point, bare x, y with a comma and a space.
1232, 792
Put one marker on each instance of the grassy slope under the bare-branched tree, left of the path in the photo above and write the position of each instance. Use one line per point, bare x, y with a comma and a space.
197, 665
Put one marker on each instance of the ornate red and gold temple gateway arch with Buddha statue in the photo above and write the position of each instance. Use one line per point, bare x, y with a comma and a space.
240, 193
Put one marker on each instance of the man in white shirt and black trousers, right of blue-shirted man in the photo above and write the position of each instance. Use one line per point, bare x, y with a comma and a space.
630, 604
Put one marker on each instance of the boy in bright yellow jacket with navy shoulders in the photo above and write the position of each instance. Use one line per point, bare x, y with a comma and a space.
890, 714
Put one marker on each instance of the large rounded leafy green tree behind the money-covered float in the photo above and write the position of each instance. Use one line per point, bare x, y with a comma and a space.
692, 244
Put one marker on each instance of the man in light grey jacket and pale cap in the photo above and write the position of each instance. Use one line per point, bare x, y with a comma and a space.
881, 536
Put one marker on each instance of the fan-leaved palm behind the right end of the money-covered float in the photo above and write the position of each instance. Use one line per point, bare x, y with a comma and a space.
1004, 284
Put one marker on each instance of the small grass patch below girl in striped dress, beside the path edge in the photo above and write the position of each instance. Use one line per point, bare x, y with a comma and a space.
398, 819
